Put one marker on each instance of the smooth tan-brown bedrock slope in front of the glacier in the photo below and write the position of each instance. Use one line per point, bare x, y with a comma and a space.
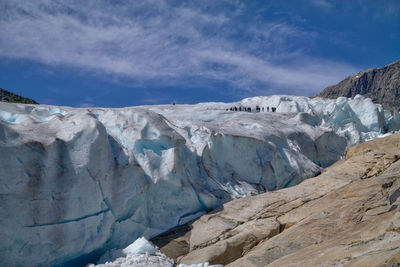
349, 215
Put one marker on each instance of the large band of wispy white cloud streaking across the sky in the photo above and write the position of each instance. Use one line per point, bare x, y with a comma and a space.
167, 42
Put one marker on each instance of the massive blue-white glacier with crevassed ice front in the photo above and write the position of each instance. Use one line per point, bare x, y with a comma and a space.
77, 182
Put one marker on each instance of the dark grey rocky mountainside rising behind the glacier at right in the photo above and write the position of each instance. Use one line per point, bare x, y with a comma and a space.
381, 85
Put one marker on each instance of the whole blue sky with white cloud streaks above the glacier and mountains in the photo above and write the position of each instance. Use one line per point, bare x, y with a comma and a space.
125, 53
